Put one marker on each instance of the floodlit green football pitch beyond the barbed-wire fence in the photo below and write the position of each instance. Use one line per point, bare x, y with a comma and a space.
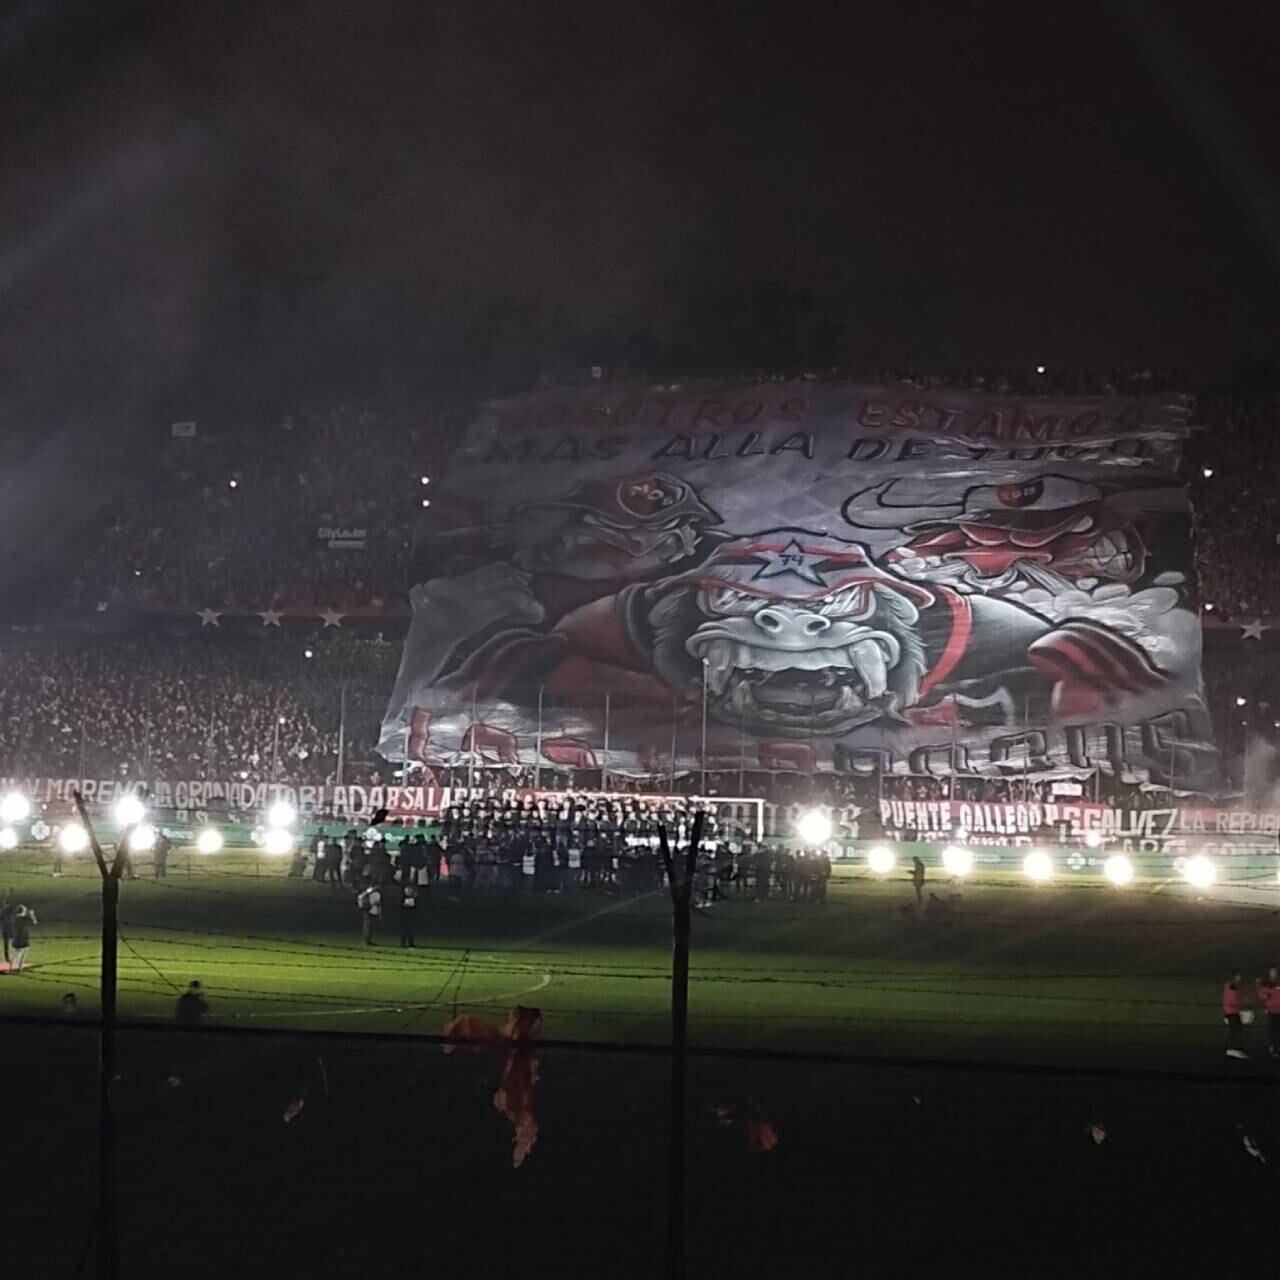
1057, 975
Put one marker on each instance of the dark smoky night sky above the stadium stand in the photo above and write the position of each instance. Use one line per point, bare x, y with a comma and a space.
231, 204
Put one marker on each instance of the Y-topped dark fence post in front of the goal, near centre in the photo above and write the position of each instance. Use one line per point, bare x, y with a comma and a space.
680, 876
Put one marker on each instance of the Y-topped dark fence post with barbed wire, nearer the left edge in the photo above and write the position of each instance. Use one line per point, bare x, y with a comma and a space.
106, 1224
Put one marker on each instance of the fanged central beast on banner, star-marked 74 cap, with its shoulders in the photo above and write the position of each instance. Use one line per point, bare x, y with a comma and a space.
797, 634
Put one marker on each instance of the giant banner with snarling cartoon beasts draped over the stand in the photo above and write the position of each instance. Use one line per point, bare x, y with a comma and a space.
810, 575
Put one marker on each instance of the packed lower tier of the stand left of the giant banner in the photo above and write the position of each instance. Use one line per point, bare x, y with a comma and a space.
159, 707
